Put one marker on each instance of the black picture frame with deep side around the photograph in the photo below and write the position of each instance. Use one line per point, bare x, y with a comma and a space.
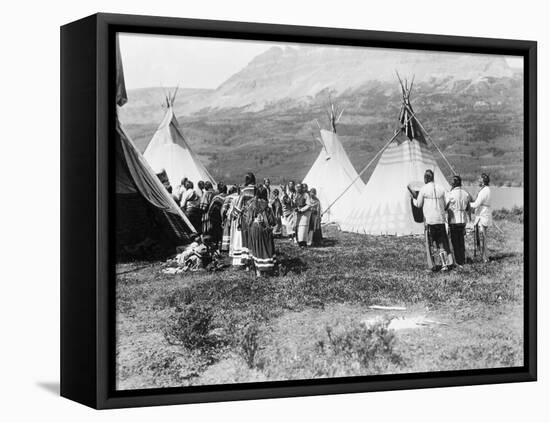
87, 276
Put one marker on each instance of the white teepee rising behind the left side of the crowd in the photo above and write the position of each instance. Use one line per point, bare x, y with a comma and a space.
168, 150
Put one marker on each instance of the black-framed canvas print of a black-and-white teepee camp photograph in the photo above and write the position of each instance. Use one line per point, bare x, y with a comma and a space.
255, 211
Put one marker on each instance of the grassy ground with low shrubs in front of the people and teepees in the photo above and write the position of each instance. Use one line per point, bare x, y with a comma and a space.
313, 320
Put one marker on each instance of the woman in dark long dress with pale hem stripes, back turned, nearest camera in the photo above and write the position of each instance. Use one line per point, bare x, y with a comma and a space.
260, 221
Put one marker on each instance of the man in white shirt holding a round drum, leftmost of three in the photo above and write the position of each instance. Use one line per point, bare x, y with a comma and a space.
431, 198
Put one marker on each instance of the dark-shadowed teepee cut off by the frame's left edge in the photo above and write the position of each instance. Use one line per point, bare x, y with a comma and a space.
145, 213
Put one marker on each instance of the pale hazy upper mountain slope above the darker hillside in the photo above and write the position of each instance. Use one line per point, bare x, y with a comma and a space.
299, 74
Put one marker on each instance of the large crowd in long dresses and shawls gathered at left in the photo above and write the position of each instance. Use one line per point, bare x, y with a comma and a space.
244, 220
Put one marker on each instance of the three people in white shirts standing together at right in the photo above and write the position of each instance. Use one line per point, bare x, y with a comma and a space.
454, 207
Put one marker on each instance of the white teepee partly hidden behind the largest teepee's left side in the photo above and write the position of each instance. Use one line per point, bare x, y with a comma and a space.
332, 173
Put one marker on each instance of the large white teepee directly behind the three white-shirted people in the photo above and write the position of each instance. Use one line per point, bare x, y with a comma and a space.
384, 207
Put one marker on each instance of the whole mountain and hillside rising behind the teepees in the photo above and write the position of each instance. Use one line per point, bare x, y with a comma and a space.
263, 117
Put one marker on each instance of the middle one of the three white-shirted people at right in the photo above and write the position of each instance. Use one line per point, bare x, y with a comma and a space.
458, 208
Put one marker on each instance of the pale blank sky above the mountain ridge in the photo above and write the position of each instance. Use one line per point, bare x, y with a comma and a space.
192, 62
